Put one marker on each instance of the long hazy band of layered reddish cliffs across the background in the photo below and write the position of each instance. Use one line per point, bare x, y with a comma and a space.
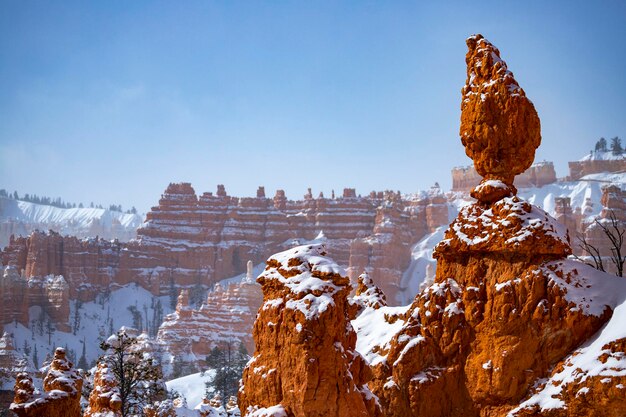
192, 242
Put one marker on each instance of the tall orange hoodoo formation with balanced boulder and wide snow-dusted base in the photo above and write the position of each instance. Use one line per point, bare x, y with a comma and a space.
506, 305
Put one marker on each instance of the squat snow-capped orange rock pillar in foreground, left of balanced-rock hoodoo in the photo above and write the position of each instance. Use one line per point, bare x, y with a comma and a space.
305, 363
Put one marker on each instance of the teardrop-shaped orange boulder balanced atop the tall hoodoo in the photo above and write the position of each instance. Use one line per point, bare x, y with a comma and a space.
500, 128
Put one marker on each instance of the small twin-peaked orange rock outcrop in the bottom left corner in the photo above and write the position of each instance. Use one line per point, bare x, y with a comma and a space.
61, 391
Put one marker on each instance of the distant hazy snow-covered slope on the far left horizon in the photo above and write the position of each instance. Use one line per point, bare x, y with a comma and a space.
21, 217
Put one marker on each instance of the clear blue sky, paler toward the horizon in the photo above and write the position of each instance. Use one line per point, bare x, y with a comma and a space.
111, 101
